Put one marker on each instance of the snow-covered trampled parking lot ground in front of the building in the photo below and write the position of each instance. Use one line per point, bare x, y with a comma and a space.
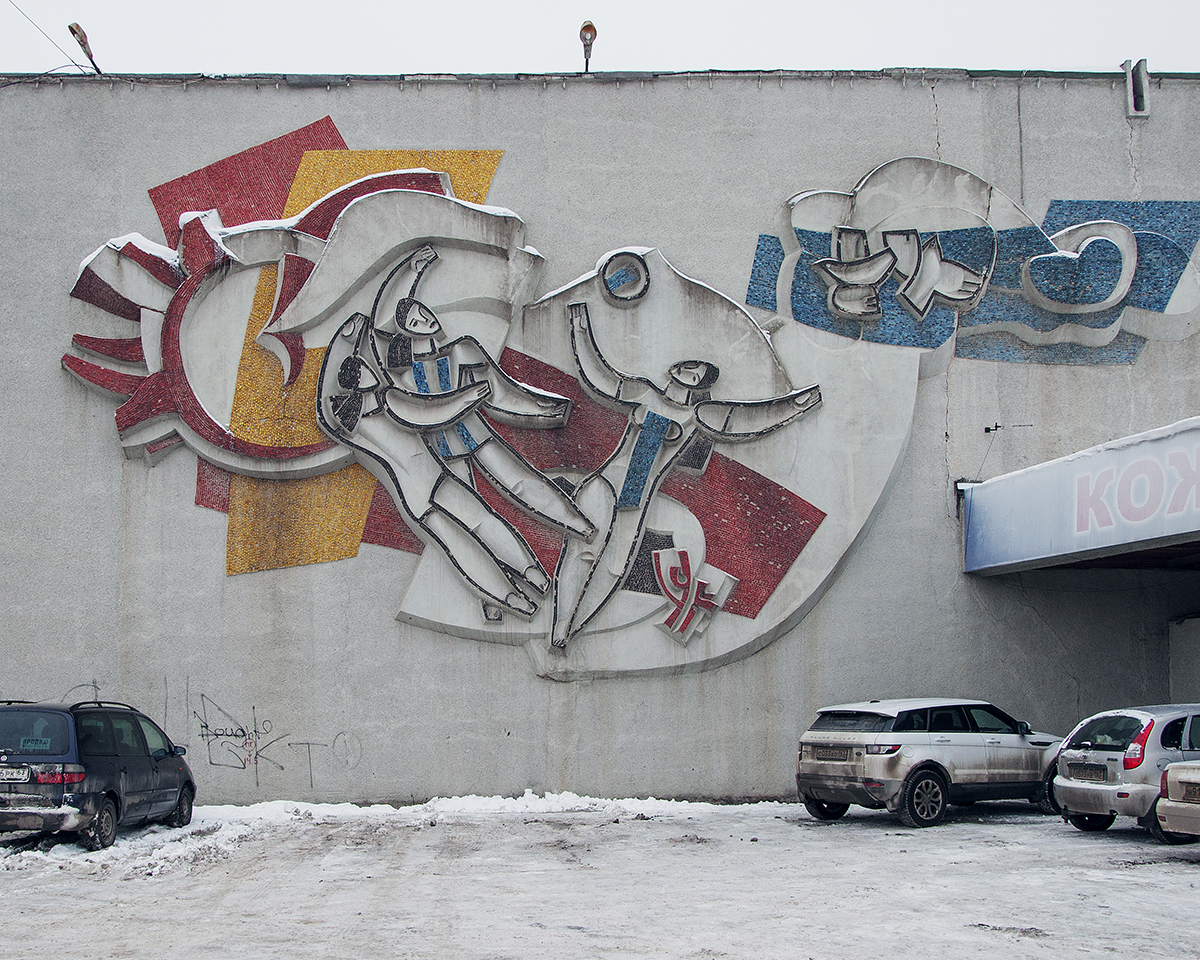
565, 877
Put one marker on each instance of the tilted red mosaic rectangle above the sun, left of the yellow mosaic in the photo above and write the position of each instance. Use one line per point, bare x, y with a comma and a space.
247, 187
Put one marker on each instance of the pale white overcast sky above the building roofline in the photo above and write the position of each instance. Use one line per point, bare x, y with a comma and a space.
542, 37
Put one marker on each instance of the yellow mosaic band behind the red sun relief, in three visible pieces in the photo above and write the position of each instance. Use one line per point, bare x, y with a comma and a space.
275, 524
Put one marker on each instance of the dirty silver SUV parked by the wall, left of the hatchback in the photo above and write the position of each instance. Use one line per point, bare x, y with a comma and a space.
917, 757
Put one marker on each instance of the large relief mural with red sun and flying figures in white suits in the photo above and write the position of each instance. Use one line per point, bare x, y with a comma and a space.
352, 352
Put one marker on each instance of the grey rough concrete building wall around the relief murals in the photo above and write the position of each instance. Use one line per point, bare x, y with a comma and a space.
116, 583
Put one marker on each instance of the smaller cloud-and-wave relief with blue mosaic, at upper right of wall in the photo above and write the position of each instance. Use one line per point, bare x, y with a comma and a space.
923, 254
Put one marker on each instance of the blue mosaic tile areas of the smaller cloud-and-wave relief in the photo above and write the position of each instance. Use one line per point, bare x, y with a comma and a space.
1166, 232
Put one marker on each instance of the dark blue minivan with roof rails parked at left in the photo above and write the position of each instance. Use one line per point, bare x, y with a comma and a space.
88, 769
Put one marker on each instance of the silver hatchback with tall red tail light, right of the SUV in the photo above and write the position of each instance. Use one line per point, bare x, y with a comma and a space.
1113, 763
